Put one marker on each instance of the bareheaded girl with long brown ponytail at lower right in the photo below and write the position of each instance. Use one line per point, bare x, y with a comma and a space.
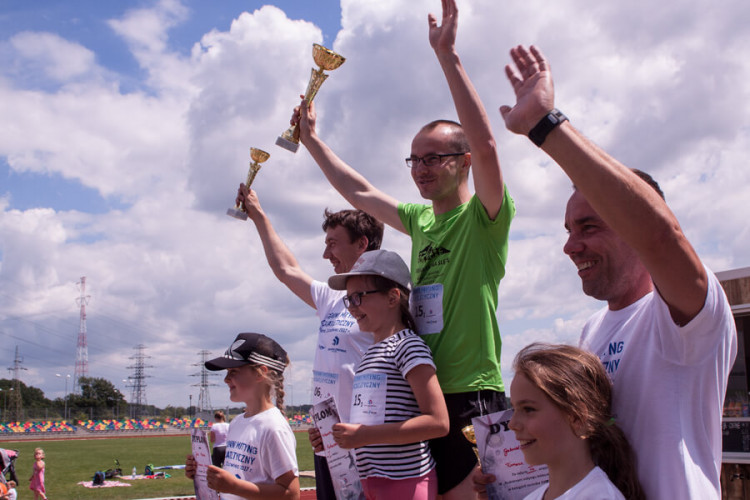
562, 401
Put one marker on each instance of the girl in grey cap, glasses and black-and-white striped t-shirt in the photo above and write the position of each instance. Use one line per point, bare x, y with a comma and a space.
397, 404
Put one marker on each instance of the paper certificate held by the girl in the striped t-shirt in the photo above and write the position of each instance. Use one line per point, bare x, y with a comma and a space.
341, 463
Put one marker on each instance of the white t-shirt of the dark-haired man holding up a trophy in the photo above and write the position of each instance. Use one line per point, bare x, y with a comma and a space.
340, 347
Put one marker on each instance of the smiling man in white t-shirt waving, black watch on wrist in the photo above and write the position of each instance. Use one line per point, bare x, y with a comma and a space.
667, 337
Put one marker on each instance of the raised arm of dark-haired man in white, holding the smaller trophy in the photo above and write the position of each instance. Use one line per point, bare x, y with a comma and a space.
281, 260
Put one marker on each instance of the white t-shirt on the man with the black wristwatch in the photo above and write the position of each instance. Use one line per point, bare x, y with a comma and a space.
669, 386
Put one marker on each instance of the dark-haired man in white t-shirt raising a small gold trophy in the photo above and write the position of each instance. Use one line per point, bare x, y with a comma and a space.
349, 233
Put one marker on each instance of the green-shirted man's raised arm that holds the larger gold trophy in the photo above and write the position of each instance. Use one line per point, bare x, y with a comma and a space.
348, 182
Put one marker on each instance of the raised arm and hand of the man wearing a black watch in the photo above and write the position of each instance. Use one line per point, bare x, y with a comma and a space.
626, 203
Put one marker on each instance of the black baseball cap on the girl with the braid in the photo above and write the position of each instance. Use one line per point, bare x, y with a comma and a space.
251, 349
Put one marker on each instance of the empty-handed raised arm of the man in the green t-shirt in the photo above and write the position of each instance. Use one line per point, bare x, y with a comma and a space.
488, 178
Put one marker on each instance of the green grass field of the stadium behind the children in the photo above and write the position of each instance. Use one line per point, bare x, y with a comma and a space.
69, 462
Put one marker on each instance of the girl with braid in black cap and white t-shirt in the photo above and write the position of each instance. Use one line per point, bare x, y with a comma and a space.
260, 459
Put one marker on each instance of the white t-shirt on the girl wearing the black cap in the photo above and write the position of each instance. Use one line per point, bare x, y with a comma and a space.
260, 448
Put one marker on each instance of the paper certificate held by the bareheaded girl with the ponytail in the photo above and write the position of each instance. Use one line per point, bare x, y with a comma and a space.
501, 455
